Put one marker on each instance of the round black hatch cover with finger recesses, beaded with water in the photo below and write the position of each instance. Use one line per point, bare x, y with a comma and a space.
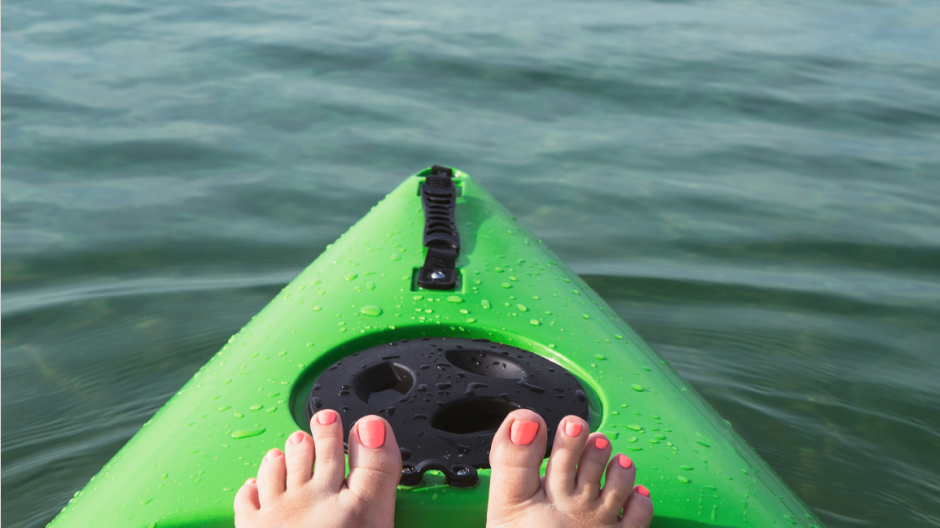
445, 397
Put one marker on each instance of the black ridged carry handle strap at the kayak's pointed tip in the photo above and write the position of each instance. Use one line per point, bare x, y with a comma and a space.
439, 198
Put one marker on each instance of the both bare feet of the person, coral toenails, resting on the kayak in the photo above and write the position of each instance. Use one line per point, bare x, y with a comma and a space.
288, 492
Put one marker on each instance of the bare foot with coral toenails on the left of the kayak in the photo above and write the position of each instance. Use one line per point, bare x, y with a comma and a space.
289, 492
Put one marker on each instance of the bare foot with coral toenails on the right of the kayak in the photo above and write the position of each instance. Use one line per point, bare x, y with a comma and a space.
570, 494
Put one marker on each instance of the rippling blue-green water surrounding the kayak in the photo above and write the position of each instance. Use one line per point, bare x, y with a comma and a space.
754, 186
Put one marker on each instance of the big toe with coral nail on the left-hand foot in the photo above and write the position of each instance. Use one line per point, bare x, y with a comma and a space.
374, 460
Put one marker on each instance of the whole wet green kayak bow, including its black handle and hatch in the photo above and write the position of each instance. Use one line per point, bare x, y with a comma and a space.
437, 268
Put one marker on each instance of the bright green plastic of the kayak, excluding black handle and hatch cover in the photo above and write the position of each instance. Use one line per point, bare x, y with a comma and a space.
184, 466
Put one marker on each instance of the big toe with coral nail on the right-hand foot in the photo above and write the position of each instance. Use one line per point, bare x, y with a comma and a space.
516, 457
